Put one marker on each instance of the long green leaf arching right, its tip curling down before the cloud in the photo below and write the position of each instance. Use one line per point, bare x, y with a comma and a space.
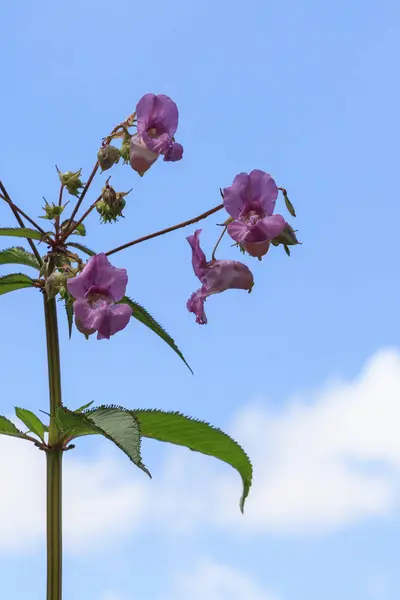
201, 437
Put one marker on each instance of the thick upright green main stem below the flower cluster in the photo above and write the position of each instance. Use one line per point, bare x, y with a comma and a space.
53, 457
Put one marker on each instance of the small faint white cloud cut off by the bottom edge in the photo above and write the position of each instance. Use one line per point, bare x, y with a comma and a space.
216, 582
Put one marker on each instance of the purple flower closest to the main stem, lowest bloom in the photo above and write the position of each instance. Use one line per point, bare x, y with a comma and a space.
96, 290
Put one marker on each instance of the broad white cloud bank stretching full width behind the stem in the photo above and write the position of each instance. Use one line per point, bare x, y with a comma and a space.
320, 463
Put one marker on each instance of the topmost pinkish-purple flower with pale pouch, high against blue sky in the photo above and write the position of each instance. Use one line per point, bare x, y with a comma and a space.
157, 122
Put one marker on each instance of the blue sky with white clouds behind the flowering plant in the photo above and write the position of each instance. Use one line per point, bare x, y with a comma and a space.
299, 370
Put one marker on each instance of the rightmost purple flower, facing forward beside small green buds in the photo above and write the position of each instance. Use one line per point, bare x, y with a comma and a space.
250, 200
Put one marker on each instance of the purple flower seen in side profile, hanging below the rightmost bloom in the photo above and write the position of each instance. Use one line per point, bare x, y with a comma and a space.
216, 276
